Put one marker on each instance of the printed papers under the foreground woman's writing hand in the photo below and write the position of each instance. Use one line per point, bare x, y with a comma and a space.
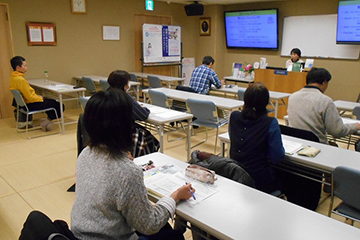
164, 180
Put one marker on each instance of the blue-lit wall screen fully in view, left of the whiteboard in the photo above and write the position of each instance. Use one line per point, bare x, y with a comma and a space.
252, 29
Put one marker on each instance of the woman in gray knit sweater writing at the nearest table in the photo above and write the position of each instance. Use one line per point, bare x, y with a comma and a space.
111, 198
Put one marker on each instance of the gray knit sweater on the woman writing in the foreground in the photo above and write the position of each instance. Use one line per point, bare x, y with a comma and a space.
111, 199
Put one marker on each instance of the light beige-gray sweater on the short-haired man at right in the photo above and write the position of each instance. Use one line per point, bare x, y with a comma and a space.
311, 110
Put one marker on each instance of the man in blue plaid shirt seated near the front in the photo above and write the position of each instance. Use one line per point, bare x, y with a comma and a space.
203, 76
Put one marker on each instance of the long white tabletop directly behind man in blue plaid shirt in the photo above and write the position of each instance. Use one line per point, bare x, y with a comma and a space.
220, 102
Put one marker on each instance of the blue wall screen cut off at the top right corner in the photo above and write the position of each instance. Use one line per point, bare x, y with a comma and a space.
348, 23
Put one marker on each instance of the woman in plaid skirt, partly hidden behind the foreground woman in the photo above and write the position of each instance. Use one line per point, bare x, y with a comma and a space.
144, 141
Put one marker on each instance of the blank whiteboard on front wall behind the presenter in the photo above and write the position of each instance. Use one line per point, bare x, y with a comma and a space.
316, 38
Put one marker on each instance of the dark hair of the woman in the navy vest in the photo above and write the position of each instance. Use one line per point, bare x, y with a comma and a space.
256, 99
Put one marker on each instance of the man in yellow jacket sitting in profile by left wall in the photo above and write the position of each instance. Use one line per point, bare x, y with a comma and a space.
32, 100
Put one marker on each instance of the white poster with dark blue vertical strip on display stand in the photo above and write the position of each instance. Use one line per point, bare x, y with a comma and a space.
161, 43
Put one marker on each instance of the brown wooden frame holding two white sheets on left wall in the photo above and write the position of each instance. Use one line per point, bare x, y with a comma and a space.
41, 34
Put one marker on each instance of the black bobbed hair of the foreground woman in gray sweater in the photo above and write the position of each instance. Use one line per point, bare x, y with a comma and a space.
108, 121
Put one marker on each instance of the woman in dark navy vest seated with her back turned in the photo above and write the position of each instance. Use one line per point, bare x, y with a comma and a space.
256, 139
